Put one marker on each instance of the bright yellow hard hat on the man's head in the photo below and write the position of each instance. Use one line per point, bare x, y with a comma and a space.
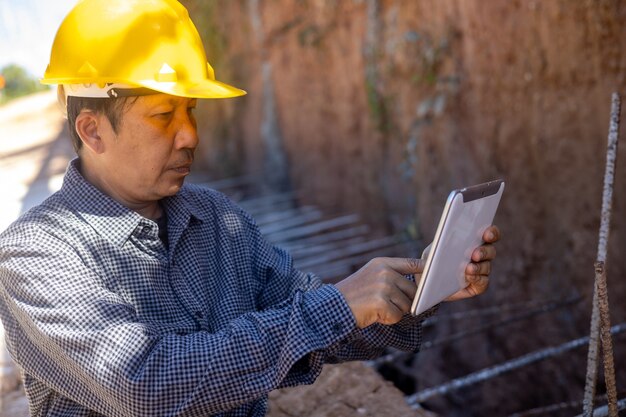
145, 43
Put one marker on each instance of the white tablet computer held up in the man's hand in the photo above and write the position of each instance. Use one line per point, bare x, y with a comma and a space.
467, 214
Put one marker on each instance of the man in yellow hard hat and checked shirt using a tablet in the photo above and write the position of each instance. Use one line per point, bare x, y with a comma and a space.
128, 293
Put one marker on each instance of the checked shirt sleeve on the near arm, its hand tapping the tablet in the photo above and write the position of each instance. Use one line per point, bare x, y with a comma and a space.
85, 342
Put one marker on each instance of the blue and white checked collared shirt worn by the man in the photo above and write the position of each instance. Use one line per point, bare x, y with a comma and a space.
105, 320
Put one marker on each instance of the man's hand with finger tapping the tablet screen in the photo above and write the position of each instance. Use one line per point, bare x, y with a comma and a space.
379, 292
